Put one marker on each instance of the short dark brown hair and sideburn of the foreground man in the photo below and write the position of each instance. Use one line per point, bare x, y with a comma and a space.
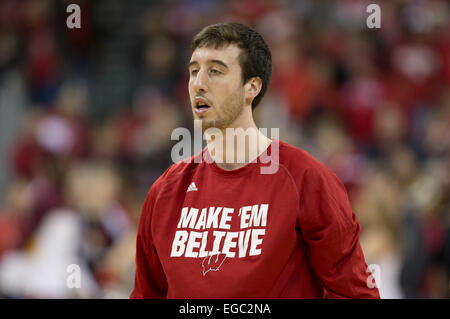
255, 58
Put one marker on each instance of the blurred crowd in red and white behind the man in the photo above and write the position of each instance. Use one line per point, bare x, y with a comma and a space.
89, 113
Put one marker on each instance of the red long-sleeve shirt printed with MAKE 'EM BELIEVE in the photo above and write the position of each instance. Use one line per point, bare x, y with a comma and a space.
205, 232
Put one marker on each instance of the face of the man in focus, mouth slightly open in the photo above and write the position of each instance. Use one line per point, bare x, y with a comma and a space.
215, 81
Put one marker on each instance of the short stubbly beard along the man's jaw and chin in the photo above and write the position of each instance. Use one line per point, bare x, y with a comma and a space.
224, 115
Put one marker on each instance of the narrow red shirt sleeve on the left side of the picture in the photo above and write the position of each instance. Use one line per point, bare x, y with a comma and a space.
150, 280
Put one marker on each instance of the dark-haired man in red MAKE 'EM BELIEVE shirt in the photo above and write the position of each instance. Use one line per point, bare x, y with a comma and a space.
218, 228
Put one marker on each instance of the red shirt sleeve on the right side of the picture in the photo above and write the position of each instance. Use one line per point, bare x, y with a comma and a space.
331, 232
